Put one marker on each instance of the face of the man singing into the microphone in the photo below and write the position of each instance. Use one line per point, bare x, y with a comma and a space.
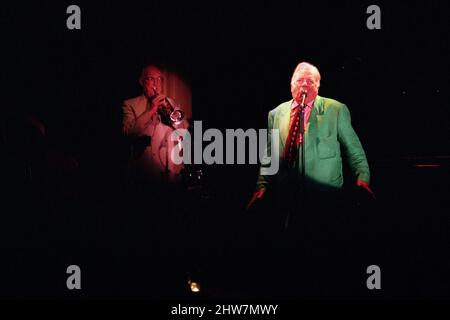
305, 80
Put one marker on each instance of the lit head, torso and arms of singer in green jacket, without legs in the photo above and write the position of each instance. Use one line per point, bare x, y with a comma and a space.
328, 132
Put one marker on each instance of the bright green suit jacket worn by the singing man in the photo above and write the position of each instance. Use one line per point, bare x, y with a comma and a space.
329, 133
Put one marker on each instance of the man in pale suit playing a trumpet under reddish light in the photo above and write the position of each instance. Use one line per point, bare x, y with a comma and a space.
144, 123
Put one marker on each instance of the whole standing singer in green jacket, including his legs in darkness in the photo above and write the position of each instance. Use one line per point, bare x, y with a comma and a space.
316, 222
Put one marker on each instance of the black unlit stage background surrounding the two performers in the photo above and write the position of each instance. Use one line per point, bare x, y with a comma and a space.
239, 60
